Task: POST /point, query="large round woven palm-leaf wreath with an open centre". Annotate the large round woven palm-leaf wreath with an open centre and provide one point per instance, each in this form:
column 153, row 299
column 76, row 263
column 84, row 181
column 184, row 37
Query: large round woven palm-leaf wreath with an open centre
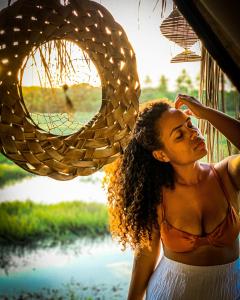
column 30, row 23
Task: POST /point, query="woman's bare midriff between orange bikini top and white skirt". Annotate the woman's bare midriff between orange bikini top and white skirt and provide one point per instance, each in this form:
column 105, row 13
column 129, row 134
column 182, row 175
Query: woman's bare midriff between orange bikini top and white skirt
column 206, row 255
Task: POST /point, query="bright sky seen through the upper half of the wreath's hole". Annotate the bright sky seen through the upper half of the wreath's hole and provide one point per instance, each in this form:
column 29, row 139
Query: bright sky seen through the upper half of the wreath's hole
column 54, row 65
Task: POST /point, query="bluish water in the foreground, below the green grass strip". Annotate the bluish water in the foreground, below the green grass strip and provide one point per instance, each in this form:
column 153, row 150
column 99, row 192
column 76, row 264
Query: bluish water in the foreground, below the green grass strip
column 97, row 269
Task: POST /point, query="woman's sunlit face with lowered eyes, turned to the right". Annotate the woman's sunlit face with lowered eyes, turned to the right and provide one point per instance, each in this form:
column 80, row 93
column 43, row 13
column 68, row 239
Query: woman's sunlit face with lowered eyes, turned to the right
column 180, row 138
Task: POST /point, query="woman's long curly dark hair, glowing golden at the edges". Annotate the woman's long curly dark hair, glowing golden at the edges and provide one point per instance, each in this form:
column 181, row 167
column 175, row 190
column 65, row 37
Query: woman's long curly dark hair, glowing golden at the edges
column 136, row 179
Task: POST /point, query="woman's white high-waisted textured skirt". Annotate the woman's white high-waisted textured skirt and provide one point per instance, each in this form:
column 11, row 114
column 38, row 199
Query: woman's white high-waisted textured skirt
column 173, row 280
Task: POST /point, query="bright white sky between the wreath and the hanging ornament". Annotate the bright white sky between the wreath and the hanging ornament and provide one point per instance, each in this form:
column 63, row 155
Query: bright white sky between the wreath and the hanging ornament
column 153, row 51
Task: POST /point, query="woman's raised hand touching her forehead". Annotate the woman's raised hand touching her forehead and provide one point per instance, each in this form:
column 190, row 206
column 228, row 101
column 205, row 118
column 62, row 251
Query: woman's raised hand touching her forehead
column 195, row 108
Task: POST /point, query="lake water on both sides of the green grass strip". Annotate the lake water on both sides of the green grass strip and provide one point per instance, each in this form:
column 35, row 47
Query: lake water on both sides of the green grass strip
column 97, row 269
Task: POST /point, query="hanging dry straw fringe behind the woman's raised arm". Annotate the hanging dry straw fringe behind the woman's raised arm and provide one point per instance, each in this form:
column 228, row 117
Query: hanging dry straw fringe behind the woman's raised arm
column 212, row 94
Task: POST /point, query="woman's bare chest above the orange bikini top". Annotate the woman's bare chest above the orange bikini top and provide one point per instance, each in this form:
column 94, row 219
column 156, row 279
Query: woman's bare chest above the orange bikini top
column 197, row 209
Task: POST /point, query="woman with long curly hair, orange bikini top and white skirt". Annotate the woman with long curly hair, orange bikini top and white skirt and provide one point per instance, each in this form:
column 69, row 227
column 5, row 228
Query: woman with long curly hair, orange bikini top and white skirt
column 161, row 192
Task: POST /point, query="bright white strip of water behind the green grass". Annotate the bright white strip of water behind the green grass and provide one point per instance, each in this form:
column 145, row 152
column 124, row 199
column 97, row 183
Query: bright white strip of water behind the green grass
column 46, row 190
